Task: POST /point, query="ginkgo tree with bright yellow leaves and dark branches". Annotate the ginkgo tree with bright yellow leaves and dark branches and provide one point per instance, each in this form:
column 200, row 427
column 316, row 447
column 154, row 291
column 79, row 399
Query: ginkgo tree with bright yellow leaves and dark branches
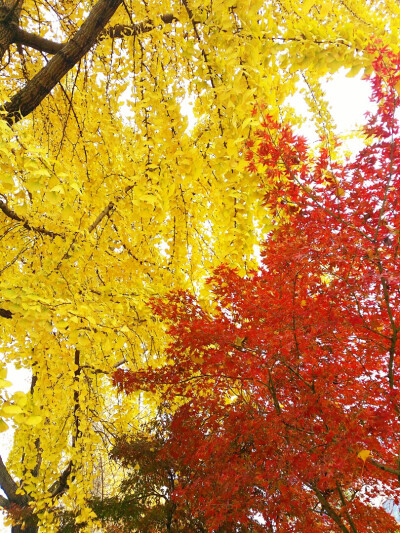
column 108, row 197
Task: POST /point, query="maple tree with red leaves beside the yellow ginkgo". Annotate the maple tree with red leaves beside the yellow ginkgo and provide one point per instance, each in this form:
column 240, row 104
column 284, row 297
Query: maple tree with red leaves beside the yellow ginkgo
column 287, row 390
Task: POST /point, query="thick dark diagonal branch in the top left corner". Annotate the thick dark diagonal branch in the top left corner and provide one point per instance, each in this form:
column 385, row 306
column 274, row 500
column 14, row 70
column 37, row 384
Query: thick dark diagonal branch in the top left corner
column 28, row 98
